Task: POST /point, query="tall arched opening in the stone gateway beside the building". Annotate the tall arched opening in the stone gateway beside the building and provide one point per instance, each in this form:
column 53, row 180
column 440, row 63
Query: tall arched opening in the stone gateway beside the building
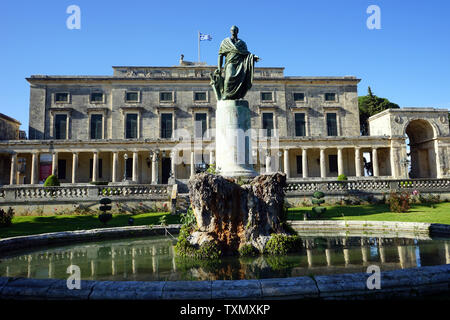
column 422, row 134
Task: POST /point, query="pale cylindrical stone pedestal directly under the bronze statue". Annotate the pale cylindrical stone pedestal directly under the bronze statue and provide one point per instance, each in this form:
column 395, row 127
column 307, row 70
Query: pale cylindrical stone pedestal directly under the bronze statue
column 233, row 140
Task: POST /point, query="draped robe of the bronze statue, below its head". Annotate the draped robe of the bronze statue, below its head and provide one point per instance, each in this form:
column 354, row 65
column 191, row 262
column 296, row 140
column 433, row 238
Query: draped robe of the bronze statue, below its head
column 238, row 71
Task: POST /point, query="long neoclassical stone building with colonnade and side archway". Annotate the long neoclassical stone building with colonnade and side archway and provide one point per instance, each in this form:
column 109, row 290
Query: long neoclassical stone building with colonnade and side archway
column 150, row 125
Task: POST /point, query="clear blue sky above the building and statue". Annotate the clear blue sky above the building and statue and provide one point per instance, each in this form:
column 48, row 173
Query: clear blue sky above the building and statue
column 407, row 61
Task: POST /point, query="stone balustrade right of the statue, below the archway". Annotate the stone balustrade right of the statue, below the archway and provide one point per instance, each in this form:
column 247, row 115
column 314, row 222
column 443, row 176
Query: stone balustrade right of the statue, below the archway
column 367, row 186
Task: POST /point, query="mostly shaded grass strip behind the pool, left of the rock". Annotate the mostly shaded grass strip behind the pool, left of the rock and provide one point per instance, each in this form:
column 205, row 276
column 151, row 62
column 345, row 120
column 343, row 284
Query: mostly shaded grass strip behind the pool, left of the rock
column 27, row 225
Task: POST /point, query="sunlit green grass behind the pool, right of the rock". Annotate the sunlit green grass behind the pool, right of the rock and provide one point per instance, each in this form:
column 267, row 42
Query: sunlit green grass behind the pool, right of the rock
column 380, row 212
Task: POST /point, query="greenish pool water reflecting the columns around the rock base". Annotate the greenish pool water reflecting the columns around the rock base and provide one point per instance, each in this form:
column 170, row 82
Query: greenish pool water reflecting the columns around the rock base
column 150, row 259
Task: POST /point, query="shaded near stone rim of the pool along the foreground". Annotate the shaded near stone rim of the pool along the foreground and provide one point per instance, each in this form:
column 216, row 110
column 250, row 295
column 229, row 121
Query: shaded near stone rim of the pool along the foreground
column 405, row 283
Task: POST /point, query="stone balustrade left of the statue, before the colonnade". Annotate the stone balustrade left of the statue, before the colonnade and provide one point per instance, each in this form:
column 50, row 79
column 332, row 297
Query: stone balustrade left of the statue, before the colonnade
column 26, row 193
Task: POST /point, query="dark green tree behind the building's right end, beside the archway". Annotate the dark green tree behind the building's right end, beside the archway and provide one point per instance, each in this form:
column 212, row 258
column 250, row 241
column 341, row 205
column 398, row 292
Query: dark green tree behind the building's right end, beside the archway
column 370, row 105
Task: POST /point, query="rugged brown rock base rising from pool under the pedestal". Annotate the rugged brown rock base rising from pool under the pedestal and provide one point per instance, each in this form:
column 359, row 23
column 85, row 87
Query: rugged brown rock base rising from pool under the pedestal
column 233, row 216
